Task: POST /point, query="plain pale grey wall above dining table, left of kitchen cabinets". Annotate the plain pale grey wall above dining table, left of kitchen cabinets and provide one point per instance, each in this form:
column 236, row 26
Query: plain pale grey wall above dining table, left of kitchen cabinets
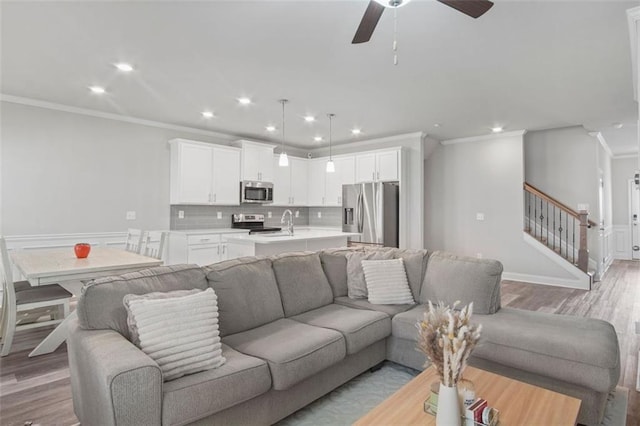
column 70, row 173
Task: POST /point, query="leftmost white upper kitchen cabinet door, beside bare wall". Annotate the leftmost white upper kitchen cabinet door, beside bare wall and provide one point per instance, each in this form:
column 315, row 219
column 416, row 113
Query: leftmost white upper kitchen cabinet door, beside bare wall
column 193, row 174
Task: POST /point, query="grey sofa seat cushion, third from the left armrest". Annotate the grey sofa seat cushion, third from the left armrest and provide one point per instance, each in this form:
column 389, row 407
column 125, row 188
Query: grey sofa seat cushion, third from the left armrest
column 360, row 328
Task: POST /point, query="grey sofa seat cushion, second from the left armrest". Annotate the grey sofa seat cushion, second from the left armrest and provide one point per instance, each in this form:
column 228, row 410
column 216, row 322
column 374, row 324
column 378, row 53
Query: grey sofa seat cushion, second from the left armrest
column 293, row 350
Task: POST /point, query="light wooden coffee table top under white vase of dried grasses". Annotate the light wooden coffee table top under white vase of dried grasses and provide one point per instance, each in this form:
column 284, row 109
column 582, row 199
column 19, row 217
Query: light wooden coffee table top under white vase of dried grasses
column 519, row 403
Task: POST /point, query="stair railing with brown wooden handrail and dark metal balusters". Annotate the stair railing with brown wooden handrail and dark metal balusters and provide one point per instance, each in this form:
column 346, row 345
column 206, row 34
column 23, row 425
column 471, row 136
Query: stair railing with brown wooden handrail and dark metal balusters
column 558, row 227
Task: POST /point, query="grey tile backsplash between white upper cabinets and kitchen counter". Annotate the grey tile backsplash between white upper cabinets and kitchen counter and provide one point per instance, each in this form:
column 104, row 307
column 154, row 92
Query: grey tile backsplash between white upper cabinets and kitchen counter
column 206, row 217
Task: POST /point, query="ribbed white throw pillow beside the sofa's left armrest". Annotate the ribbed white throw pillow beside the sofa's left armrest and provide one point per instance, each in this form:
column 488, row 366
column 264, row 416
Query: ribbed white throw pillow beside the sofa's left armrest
column 178, row 330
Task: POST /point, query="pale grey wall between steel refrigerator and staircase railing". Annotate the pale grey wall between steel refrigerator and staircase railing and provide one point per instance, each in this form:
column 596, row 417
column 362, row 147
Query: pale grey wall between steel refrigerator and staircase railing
column 482, row 175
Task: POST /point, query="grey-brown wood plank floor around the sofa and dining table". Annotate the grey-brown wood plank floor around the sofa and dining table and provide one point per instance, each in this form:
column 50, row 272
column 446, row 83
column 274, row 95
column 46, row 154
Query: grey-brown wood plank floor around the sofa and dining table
column 38, row 389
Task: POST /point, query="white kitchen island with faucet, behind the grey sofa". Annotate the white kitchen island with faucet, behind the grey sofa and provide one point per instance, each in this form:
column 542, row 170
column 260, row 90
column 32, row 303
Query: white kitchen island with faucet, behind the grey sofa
column 281, row 242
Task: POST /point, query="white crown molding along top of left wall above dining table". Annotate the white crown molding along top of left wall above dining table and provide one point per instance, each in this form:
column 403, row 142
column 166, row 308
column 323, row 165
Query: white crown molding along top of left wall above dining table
column 110, row 116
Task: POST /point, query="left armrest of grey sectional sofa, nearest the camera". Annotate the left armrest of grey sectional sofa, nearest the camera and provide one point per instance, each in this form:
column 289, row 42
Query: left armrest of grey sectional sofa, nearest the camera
column 113, row 382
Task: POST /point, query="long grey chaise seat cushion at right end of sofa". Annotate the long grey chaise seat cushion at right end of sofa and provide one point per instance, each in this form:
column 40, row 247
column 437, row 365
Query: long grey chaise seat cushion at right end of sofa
column 577, row 350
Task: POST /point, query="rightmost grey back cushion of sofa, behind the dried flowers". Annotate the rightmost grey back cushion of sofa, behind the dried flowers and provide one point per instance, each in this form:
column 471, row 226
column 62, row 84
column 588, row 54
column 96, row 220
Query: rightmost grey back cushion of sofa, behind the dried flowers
column 451, row 278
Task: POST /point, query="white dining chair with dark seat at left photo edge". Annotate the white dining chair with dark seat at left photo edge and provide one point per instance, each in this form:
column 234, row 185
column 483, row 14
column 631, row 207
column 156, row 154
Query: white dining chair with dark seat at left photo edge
column 23, row 304
